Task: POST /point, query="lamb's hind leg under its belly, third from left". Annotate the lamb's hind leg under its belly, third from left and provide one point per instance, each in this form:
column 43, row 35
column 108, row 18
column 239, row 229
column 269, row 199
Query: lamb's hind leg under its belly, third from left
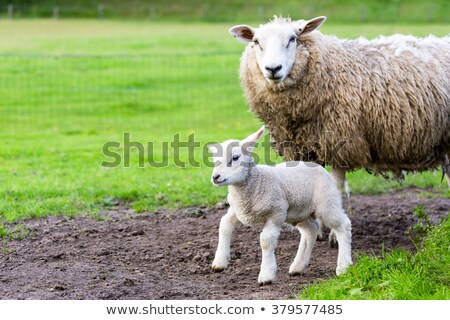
column 308, row 230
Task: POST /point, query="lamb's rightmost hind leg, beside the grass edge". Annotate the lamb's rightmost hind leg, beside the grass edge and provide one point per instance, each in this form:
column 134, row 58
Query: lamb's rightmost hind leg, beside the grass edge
column 344, row 237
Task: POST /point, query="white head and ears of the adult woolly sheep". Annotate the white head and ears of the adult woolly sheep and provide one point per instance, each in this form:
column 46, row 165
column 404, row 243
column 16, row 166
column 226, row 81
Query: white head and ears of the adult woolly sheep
column 275, row 44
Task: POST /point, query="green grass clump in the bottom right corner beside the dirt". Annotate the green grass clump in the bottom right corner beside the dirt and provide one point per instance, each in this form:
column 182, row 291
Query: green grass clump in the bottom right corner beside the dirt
column 398, row 275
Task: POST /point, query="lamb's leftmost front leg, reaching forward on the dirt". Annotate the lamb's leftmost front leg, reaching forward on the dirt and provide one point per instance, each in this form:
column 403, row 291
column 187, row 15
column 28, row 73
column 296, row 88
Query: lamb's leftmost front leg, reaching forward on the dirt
column 227, row 225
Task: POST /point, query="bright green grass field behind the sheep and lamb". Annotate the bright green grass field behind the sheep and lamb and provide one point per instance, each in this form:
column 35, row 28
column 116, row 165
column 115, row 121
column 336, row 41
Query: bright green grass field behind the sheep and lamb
column 67, row 87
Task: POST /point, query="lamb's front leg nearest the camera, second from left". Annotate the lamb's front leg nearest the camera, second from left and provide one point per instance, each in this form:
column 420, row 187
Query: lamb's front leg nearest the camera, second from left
column 268, row 240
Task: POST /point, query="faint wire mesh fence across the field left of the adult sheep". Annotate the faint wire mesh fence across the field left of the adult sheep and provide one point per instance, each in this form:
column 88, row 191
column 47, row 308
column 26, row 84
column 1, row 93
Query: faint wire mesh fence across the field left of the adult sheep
column 105, row 88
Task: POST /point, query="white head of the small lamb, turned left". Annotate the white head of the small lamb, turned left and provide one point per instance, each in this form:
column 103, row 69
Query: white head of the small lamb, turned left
column 233, row 159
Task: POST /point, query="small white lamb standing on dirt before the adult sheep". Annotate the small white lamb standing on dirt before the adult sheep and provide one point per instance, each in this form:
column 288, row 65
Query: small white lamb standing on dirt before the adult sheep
column 293, row 192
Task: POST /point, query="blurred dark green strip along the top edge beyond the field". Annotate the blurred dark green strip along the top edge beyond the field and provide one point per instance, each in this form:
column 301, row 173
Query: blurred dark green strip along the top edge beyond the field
column 362, row 12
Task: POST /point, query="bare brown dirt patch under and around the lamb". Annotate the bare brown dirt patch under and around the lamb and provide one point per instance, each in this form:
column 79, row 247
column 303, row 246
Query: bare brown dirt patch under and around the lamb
column 165, row 255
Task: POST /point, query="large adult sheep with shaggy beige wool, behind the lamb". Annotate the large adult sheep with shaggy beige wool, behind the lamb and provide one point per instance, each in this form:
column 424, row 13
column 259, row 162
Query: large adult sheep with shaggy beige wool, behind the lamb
column 382, row 104
